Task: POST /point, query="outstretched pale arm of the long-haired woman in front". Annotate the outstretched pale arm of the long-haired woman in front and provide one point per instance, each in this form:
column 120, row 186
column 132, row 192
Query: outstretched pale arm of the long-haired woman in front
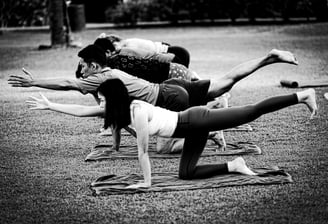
column 72, row 109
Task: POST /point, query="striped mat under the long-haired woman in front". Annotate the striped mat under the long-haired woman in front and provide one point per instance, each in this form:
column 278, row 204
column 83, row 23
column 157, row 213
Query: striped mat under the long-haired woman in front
column 165, row 182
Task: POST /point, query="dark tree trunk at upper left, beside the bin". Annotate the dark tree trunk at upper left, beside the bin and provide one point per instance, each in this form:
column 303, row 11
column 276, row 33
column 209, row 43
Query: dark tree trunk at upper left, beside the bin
column 56, row 15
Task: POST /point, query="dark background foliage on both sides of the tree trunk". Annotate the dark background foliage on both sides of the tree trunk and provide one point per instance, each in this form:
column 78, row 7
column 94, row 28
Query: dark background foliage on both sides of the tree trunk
column 34, row 12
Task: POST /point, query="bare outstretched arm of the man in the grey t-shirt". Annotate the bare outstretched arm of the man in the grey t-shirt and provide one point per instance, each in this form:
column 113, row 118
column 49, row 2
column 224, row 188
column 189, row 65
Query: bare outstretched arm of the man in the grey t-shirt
column 55, row 84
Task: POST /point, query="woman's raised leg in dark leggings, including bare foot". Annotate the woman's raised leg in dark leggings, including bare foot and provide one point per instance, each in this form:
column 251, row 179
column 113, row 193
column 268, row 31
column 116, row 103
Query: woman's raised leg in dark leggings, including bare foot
column 201, row 118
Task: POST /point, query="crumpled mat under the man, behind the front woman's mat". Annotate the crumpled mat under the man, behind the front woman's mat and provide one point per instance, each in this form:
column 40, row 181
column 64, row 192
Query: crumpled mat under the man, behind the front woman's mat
column 131, row 152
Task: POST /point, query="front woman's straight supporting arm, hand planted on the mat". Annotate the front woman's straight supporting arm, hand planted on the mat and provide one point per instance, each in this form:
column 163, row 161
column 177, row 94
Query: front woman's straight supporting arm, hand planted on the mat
column 141, row 118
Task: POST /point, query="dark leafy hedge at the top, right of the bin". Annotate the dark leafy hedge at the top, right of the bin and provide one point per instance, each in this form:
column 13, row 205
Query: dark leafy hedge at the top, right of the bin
column 193, row 10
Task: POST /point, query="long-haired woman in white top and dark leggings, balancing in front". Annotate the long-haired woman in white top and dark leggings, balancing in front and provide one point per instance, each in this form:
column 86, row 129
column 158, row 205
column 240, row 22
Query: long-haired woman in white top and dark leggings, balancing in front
column 193, row 124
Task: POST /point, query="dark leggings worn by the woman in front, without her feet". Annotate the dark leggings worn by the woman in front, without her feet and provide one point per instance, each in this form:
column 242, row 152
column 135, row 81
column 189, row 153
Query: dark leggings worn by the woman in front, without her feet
column 195, row 123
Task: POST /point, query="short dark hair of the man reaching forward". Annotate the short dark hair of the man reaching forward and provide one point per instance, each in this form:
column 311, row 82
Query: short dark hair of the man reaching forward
column 93, row 53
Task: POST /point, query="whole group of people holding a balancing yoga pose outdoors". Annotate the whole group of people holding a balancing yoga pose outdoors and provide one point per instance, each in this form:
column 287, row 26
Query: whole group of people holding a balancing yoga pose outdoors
column 139, row 89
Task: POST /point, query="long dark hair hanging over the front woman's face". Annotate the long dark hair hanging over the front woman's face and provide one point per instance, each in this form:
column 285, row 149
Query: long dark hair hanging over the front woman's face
column 117, row 109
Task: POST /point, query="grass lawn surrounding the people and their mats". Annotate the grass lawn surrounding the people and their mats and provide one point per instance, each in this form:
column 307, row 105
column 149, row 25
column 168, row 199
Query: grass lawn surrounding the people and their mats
column 43, row 176
